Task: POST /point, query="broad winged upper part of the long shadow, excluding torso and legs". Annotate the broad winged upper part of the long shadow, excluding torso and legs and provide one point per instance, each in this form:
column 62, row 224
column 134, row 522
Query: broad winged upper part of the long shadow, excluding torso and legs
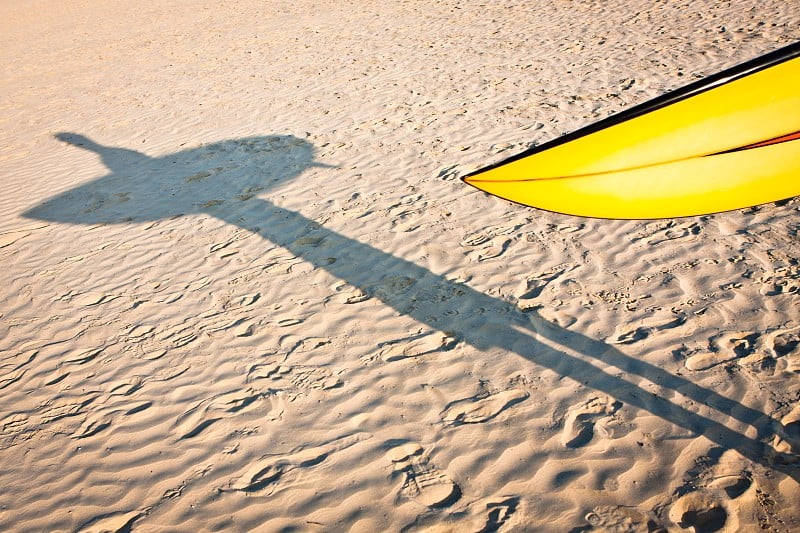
column 211, row 178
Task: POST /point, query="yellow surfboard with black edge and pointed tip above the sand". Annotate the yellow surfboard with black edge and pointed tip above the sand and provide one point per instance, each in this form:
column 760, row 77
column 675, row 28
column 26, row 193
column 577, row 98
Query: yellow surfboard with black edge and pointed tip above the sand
column 729, row 141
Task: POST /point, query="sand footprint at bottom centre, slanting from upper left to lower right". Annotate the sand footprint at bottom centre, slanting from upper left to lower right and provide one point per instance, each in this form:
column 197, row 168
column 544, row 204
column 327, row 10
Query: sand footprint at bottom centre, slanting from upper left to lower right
column 421, row 481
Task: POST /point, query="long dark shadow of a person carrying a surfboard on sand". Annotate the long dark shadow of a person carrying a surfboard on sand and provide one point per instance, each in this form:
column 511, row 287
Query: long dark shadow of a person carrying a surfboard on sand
column 222, row 180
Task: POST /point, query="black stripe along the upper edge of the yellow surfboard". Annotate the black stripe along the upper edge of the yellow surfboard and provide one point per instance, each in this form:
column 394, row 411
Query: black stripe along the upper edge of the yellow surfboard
column 715, row 80
